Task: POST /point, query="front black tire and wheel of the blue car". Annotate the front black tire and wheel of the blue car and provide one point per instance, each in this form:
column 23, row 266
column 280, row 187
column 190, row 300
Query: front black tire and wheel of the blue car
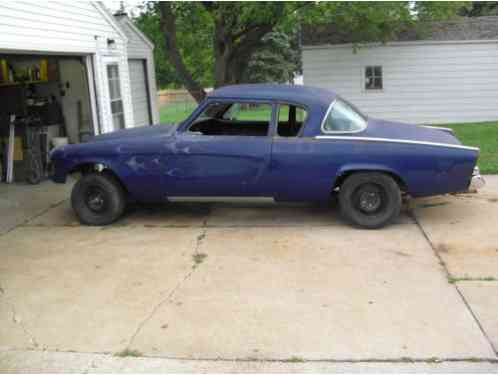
column 98, row 199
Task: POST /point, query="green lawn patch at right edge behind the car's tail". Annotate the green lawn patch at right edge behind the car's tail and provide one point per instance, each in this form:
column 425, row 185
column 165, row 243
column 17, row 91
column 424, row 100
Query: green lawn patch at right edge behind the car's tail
column 483, row 135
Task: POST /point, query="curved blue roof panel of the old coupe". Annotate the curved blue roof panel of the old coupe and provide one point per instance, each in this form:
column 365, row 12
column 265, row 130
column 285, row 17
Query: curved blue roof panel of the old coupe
column 306, row 95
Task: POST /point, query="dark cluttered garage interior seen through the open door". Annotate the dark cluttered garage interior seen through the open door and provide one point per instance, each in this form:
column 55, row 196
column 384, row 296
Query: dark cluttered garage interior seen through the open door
column 45, row 102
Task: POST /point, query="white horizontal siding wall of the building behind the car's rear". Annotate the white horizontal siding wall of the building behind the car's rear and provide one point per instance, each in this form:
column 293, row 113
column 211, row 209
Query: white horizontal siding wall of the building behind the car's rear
column 423, row 82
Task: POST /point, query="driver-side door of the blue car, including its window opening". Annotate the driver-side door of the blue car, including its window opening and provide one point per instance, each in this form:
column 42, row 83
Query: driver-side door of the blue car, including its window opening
column 224, row 161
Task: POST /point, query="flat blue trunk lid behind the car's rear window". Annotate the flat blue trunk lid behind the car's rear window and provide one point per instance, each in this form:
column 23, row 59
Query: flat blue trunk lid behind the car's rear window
column 397, row 130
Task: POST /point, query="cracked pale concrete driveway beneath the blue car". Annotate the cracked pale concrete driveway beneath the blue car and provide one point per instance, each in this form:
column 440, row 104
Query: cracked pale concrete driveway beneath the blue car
column 239, row 287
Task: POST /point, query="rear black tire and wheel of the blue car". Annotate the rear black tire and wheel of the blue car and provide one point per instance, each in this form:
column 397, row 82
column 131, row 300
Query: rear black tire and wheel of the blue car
column 369, row 199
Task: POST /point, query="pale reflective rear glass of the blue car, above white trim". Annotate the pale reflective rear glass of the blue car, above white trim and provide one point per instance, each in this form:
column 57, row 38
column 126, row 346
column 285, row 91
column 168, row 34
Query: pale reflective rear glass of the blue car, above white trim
column 343, row 118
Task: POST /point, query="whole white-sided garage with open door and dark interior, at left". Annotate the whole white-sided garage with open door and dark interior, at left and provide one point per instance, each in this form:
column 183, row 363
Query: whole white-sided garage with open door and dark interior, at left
column 67, row 72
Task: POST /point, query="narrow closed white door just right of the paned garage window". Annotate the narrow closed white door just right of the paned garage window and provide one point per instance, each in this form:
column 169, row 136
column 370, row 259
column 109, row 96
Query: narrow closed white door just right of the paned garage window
column 139, row 92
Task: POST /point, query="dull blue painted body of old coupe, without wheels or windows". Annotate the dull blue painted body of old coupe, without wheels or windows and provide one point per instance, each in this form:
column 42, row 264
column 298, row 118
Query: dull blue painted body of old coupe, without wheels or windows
column 155, row 162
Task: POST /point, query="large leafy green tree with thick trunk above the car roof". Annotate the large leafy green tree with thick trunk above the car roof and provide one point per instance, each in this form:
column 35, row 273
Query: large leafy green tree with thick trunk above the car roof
column 237, row 34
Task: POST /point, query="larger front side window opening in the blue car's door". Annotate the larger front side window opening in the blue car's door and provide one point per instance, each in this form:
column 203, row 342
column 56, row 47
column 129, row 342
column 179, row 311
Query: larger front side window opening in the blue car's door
column 233, row 119
